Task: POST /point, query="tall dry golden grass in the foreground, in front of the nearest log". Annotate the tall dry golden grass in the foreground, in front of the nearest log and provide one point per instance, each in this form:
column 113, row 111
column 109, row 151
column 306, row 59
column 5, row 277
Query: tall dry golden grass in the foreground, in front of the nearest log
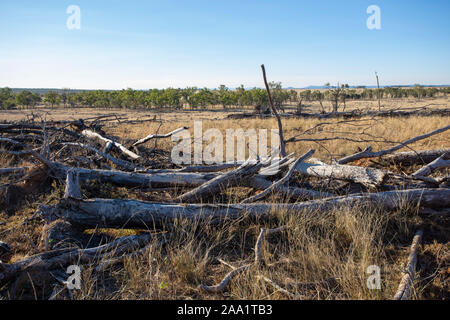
column 316, row 247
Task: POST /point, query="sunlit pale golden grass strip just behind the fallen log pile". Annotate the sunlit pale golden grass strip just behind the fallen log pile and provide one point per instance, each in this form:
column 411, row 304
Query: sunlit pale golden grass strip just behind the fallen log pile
column 380, row 133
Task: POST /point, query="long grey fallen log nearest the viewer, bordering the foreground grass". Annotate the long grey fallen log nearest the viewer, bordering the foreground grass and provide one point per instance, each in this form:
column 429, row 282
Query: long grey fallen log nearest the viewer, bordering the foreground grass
column 117, row 213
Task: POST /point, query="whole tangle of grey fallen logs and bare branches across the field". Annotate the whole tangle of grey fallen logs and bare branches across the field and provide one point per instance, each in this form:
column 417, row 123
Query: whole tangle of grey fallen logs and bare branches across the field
column 307, row 186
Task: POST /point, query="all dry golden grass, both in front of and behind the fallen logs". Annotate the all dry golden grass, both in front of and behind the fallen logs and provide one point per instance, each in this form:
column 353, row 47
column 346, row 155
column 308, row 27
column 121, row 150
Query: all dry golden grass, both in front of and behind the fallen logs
column 315, row 247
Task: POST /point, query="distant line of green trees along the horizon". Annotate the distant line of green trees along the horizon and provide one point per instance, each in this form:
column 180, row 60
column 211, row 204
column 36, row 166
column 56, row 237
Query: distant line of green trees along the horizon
column 194, row 98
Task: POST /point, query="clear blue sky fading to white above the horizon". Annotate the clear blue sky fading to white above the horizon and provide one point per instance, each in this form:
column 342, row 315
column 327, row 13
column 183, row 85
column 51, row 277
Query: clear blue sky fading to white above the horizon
column 174, row 43
